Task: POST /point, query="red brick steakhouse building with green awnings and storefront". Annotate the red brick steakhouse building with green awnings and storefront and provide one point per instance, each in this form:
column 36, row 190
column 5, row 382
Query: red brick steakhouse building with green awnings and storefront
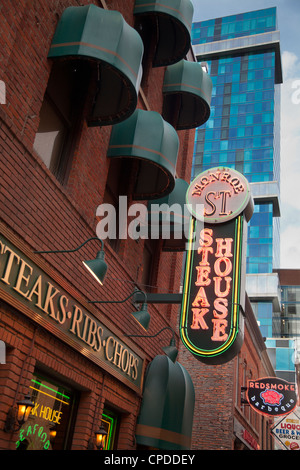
column 91, row 110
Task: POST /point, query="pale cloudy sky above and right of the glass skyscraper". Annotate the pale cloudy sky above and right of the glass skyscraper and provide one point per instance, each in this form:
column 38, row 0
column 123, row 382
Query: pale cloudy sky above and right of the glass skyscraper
column 288, row 19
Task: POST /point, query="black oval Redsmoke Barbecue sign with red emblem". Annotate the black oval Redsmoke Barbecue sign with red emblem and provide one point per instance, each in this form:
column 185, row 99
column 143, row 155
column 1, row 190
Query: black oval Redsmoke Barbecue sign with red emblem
column 271, row 396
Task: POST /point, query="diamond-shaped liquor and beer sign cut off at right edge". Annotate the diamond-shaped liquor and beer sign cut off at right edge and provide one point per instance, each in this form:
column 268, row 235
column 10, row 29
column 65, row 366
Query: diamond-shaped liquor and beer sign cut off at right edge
column 287, row 431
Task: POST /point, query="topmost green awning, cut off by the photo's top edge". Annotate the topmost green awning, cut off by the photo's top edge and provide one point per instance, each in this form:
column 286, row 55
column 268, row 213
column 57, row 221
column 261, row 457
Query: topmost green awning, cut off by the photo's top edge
column 170, row 23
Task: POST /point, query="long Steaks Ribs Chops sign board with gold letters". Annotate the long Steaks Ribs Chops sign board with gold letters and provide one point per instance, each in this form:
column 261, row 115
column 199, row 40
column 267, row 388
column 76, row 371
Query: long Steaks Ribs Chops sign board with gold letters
column 29, row 288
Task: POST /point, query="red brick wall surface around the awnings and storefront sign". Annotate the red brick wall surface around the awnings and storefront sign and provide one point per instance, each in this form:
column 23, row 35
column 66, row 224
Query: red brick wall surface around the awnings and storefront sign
column 46, row 215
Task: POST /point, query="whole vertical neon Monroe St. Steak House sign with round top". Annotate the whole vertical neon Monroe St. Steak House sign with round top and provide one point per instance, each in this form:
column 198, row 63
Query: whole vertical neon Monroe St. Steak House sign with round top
column 211, row 322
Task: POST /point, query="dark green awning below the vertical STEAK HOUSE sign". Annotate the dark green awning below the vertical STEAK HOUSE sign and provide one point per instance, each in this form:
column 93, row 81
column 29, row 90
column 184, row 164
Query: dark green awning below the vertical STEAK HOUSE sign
column 166, row 416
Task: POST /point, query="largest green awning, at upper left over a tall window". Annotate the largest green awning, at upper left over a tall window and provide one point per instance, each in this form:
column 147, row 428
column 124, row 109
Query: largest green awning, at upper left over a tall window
column 115, row 51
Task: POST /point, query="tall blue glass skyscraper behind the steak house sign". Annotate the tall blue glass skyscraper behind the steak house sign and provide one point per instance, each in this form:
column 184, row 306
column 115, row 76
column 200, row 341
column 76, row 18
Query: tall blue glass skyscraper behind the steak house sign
column 242, row 56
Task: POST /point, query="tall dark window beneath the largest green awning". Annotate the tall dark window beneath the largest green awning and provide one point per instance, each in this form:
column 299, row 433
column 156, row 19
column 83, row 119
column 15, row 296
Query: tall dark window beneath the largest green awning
column 61, row 116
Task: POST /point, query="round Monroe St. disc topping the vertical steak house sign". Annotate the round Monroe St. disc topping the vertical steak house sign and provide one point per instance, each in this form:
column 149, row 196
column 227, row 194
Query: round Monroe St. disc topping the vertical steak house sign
column 224, row 192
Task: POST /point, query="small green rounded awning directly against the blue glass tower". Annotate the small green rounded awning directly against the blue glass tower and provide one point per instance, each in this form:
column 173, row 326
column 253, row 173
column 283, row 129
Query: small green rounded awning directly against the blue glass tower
column 187, row 93
